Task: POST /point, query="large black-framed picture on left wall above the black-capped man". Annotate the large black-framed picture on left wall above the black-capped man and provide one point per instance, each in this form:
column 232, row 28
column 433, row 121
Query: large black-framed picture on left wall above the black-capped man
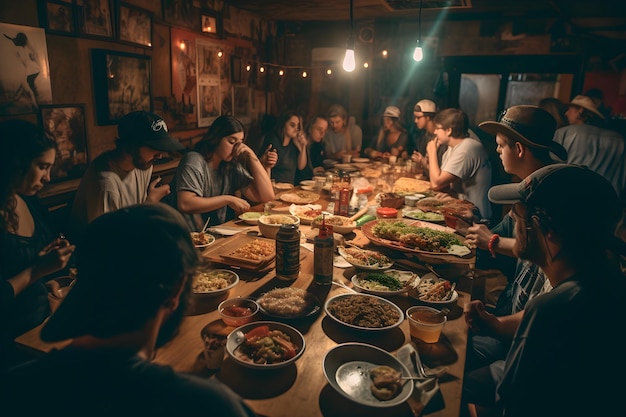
column 122, row 84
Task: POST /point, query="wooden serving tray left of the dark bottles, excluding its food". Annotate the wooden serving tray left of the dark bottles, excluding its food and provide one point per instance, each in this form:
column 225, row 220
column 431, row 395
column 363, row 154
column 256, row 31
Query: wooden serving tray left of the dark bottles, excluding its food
column 221, row 252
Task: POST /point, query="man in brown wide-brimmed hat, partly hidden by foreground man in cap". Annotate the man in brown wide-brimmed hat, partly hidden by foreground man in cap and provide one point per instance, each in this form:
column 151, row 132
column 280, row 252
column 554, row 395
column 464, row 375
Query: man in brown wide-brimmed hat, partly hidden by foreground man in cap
column 524, row 143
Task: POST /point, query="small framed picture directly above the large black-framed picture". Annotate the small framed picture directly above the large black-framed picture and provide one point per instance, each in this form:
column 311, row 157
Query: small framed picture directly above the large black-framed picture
column 135, row 25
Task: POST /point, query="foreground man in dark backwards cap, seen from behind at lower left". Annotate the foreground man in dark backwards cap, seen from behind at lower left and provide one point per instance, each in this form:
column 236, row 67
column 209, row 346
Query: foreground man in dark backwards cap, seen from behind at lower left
column 147, row 253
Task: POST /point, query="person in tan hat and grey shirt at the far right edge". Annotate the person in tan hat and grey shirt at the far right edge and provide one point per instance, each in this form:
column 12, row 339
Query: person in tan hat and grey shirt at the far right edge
column 589, row 143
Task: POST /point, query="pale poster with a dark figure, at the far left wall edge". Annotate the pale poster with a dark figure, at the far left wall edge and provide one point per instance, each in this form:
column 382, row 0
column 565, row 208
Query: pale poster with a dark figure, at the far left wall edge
column 24, row 69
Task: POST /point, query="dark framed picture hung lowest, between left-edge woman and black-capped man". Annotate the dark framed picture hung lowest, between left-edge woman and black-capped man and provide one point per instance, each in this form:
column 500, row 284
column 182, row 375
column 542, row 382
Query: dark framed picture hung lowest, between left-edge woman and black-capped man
column 66, row 123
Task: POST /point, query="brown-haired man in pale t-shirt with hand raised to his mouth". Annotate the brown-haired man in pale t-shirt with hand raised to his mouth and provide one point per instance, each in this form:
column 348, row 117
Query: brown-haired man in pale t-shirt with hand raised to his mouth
column 465, row 169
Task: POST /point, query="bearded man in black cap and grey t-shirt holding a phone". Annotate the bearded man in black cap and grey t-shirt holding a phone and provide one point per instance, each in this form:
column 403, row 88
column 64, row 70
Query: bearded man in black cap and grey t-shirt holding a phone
column 122, row 177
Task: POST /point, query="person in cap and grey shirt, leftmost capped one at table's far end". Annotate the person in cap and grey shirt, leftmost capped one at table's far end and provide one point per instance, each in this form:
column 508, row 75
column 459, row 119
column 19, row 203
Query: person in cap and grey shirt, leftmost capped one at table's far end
column 343, row 138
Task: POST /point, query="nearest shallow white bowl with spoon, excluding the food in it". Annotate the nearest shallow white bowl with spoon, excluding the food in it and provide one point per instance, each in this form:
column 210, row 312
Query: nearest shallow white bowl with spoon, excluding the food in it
column 346, row 368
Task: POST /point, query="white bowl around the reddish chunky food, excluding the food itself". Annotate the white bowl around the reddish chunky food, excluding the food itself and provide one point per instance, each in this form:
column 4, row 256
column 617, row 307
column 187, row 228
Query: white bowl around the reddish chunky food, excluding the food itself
column 236, row 337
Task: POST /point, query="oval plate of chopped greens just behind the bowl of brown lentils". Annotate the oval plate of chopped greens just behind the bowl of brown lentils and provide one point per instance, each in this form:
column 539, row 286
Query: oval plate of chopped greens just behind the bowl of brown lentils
column 384, row 283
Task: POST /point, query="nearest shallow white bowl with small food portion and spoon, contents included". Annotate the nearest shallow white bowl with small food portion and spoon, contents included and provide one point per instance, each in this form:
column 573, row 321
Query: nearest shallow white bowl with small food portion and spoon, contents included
column 367, row 375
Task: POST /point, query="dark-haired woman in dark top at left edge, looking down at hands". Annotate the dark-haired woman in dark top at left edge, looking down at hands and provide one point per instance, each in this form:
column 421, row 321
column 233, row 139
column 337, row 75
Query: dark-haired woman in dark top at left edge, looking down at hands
column 30, row 252
